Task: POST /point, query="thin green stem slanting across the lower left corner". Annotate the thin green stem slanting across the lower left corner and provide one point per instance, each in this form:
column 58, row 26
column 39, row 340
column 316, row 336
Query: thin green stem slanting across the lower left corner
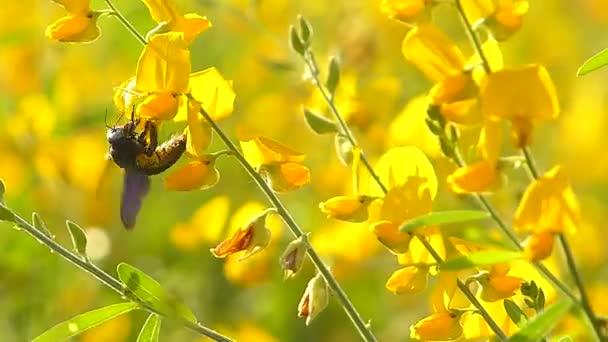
column 109, row 280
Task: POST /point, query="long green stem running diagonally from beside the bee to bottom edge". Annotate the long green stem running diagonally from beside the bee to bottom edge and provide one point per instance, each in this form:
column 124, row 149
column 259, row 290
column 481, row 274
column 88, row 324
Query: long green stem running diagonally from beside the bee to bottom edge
column 347, row 305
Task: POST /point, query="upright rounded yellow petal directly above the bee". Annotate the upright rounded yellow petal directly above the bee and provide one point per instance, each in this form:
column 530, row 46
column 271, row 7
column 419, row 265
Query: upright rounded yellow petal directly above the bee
column 164, row 64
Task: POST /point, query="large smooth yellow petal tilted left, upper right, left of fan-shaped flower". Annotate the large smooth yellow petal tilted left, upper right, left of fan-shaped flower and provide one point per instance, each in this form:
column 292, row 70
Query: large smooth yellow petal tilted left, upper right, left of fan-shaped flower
column 432, row 51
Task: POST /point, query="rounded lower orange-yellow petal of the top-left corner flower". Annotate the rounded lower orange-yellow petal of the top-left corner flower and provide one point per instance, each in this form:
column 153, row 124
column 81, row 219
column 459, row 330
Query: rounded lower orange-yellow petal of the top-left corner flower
column 73, row 29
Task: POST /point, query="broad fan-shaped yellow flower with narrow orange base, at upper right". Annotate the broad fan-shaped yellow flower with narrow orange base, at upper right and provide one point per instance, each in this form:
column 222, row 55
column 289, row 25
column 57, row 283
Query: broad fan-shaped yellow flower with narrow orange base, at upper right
column 523, row 96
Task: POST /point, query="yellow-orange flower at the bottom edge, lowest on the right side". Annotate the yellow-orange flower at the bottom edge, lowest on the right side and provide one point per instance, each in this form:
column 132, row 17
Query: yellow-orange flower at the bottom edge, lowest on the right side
column 440, row 326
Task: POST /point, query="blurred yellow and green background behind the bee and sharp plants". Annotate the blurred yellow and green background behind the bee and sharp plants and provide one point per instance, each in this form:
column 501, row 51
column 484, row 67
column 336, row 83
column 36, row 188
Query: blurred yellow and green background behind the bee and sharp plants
column 54, row 96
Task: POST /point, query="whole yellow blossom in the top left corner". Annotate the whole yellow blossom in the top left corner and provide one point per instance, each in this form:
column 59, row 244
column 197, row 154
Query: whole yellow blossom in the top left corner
column 80, row 25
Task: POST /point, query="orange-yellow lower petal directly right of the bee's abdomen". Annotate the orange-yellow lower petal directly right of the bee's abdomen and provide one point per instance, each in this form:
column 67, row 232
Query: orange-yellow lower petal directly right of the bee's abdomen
column 196, row 175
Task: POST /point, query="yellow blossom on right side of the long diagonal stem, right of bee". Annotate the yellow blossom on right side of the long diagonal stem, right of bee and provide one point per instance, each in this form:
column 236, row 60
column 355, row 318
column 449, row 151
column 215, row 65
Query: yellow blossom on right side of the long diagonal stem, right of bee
column 277, row 164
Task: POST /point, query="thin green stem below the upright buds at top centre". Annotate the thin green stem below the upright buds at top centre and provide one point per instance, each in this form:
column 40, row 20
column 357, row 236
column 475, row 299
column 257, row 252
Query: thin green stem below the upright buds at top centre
column 310, row 60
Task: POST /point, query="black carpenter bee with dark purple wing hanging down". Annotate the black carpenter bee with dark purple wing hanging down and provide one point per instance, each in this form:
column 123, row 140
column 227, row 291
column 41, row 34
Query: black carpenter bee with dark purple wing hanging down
column 140, row 156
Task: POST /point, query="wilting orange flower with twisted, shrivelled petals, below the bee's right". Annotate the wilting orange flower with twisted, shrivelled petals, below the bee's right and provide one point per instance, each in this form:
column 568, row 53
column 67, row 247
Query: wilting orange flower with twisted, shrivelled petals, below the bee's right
column 252, row 238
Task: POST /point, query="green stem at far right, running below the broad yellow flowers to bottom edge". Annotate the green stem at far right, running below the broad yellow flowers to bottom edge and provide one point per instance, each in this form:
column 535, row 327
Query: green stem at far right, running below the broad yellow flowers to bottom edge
column 569, row 257
